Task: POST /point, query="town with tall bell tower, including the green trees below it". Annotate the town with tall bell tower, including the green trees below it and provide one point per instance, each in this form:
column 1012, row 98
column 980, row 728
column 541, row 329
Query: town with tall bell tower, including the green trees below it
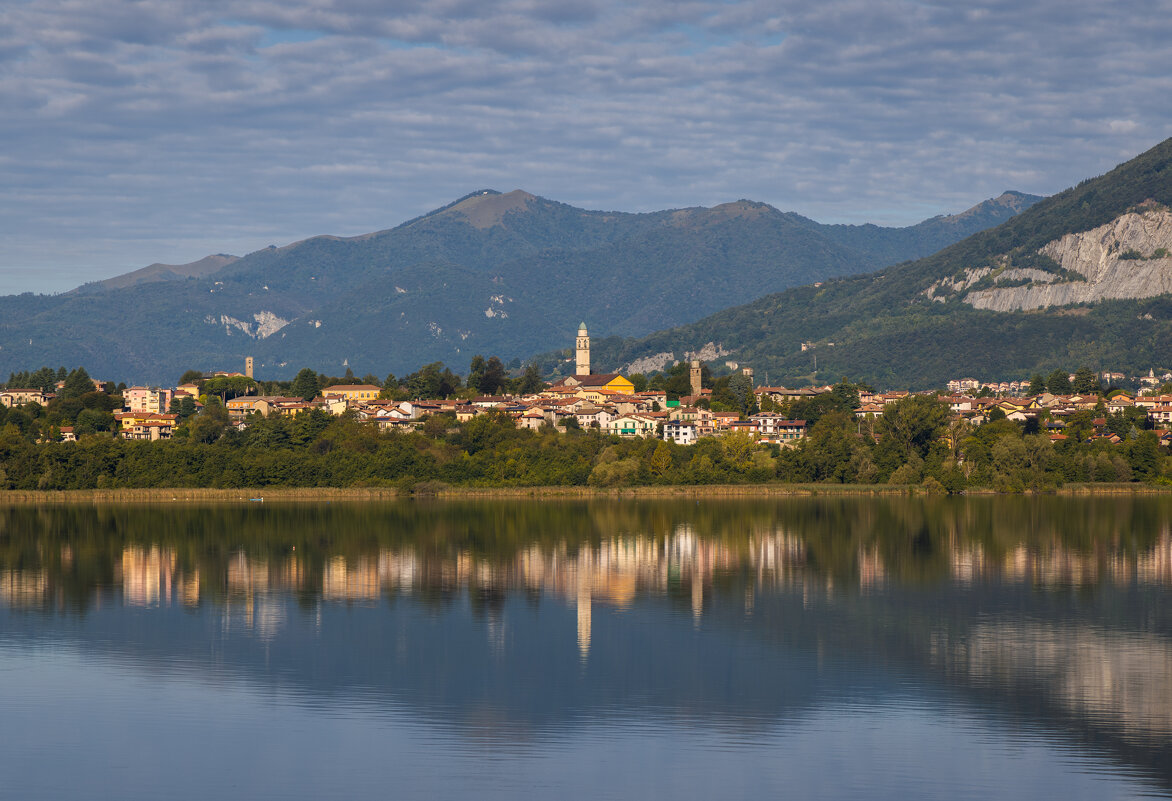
column 1042, row 433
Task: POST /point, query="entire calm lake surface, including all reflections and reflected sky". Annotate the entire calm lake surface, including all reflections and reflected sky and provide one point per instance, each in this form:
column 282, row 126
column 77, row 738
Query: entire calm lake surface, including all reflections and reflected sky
column 808, row 649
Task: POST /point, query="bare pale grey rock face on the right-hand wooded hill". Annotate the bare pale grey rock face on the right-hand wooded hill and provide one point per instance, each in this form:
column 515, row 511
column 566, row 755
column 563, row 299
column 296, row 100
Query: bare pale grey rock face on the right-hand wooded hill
column 1132, row 257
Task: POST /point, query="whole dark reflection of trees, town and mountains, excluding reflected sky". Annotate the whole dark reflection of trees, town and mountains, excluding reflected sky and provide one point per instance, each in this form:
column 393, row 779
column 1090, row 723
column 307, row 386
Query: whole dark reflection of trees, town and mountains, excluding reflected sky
column 1044, row 614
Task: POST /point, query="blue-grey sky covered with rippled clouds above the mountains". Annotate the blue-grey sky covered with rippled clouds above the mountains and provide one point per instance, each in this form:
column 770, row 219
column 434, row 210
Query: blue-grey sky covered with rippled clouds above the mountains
column 135, row 132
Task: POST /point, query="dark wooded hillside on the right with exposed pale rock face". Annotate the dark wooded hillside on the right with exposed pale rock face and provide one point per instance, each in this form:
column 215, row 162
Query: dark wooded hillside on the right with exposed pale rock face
column 1088, row 268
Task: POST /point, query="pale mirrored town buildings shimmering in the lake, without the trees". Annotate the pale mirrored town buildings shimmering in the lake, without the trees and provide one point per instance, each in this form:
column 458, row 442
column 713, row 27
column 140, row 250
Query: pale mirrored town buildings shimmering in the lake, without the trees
column 612, row 572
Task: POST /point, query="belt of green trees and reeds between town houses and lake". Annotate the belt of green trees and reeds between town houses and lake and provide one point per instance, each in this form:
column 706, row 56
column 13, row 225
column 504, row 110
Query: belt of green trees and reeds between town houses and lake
column 916, row 446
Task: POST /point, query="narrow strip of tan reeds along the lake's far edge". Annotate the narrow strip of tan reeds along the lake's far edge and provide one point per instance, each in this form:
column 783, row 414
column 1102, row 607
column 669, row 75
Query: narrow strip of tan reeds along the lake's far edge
column 378, row 494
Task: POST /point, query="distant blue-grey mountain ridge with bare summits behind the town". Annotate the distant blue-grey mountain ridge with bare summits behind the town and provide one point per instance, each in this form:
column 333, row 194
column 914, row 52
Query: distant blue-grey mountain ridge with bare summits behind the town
column 494, row 274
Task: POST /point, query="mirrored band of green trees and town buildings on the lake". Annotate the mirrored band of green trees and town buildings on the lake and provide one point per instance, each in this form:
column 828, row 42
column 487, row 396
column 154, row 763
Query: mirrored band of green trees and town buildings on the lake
column 610, row 552
